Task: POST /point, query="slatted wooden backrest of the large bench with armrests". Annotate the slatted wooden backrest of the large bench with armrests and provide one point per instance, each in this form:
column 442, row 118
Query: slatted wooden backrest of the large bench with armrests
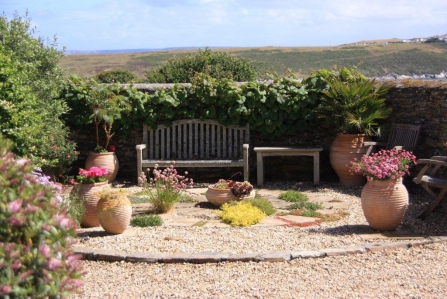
column 193, row 139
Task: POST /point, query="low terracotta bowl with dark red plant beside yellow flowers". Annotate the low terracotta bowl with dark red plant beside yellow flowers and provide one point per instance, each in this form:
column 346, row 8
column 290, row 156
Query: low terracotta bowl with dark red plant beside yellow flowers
column 228, row 190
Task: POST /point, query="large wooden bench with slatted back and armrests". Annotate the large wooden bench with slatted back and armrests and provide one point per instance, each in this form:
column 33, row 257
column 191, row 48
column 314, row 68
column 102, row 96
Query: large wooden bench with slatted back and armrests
column 194, row 143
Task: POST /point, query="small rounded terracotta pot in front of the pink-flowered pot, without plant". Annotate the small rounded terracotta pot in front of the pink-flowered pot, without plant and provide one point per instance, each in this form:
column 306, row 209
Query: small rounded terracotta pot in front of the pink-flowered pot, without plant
column 114, row 212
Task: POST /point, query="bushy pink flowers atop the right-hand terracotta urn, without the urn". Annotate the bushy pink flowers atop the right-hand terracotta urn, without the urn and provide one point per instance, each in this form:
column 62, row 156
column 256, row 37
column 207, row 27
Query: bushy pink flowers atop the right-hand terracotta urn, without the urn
column 385, row 165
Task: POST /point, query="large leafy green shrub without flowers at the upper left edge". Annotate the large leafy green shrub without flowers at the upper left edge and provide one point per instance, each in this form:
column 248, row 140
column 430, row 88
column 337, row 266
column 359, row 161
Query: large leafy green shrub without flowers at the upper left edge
column 30, row 114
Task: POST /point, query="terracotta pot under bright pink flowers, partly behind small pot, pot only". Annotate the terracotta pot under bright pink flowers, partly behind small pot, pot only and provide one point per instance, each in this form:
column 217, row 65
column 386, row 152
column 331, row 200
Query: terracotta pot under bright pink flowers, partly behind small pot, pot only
column 88, row 193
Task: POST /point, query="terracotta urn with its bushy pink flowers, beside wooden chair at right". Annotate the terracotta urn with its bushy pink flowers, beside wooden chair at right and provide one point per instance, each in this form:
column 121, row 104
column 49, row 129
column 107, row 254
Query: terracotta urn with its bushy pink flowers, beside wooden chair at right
column 384, row 197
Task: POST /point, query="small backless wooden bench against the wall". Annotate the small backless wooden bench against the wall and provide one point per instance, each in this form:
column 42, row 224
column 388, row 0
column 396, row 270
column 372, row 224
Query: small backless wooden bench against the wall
column 262, row 152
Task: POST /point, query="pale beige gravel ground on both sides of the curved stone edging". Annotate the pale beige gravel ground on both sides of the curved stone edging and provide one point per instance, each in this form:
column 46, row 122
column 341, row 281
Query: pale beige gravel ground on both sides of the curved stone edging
column 418, row 272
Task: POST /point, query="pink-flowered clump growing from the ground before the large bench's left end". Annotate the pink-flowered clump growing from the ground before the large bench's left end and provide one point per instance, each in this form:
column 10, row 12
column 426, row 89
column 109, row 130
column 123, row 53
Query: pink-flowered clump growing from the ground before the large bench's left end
column 164, row 188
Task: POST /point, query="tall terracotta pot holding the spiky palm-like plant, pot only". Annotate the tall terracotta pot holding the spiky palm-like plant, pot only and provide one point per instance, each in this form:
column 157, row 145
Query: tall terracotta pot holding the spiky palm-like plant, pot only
column 344, row 149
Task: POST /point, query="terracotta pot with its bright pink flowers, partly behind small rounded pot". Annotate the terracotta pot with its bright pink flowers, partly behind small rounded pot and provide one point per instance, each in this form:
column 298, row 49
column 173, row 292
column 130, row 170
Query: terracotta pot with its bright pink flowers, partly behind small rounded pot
column 87, row 186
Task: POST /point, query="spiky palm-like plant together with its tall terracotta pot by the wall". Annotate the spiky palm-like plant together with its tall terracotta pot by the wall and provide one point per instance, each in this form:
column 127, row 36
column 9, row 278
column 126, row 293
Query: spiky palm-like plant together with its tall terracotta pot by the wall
column 352, row 107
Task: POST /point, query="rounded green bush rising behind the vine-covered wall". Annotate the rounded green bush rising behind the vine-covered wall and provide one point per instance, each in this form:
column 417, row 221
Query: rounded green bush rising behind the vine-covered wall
column 215, row 64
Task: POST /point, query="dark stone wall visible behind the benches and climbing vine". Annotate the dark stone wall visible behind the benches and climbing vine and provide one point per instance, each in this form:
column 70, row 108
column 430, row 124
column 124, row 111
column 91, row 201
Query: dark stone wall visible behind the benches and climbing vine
column 413, row 102
